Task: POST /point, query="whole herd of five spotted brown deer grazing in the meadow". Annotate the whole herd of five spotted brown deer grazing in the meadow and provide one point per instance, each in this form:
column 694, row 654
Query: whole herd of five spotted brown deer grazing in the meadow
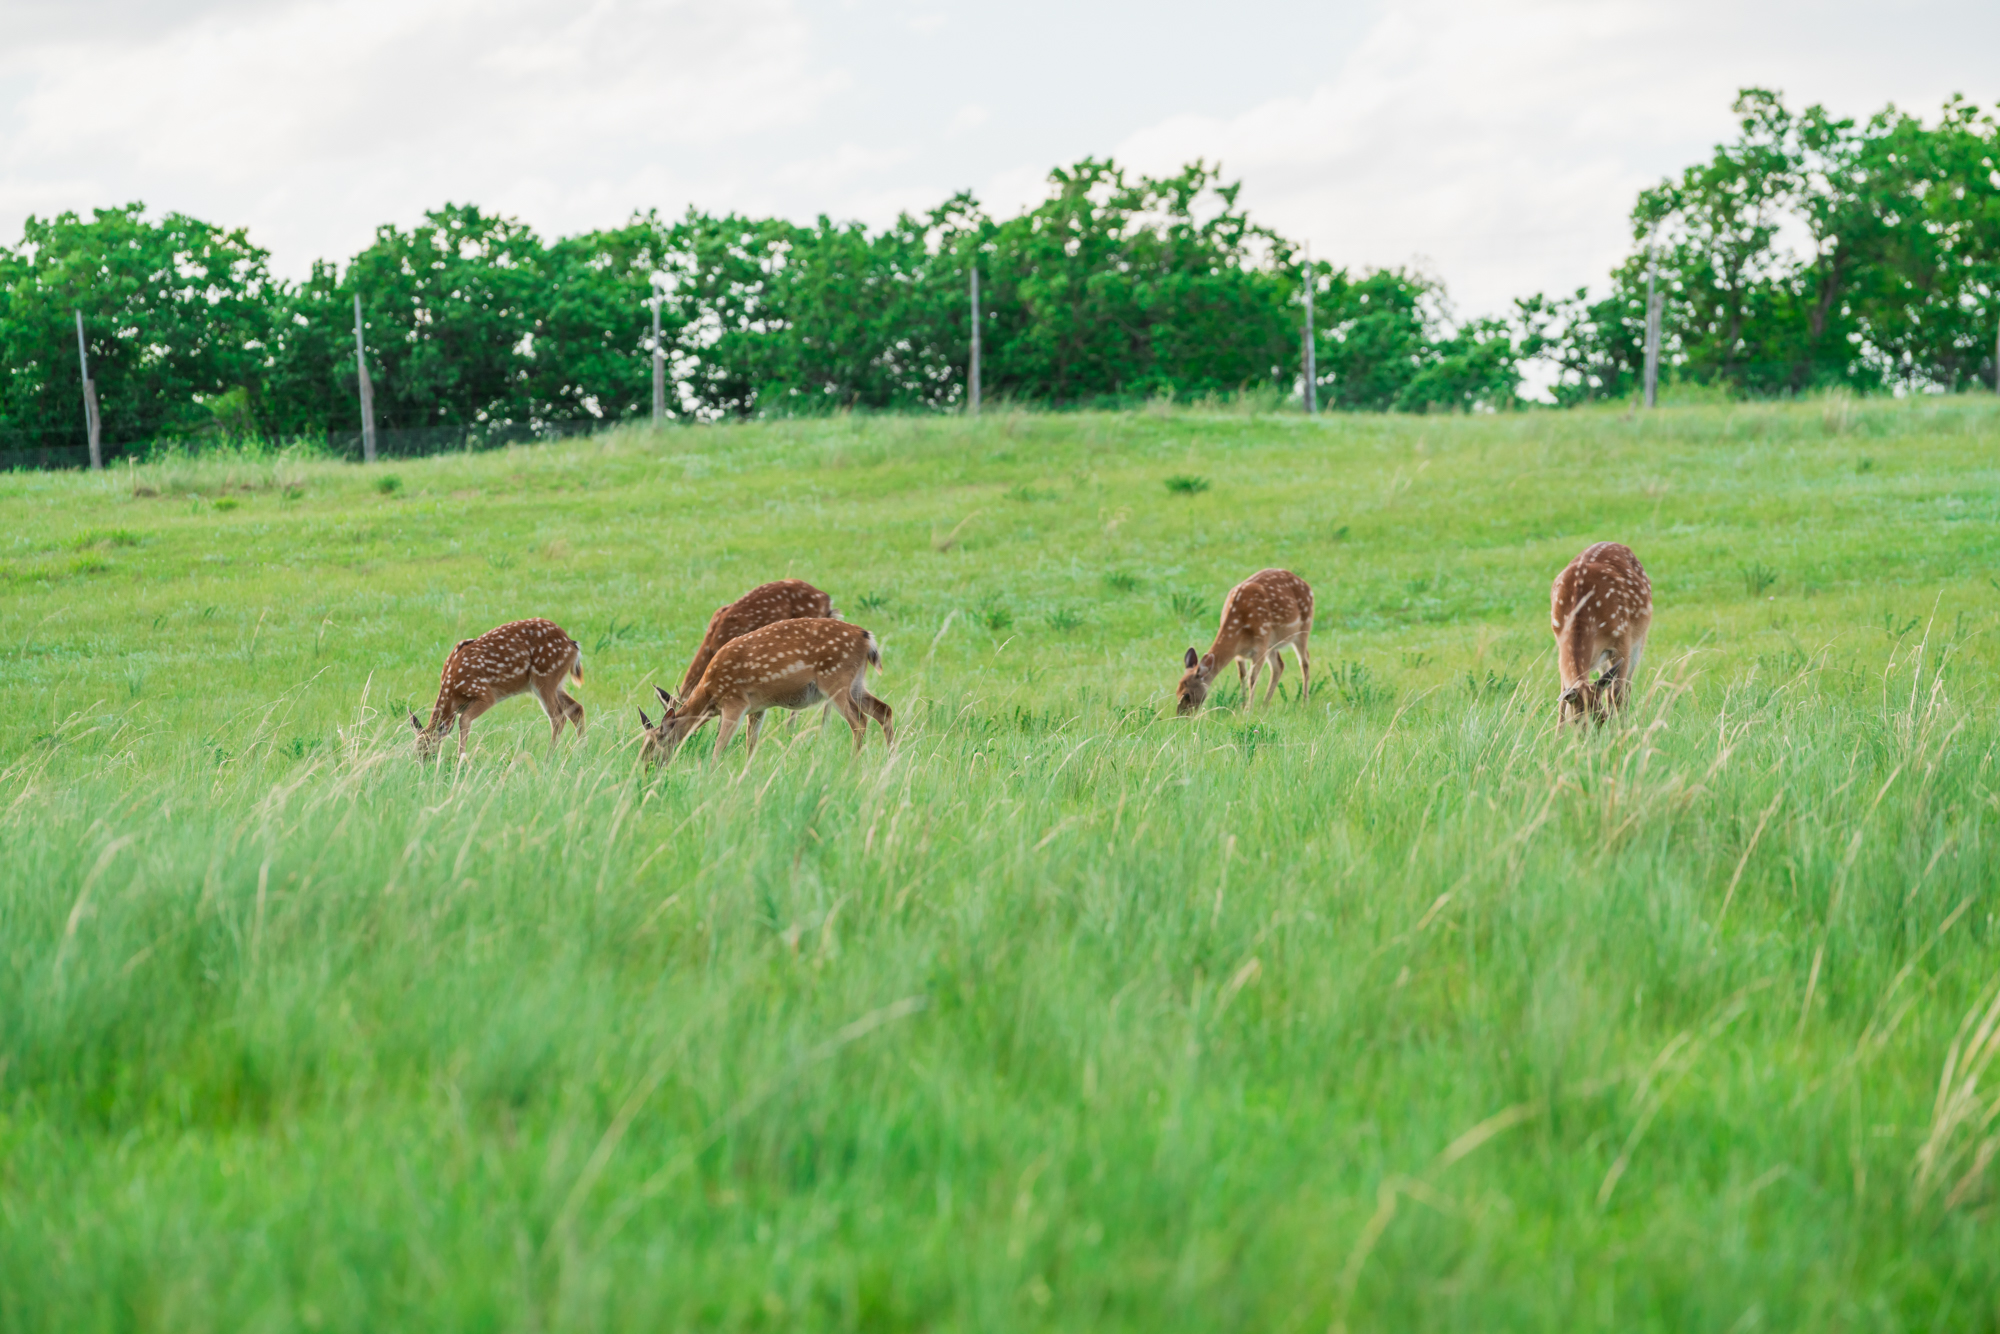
column 785, row 647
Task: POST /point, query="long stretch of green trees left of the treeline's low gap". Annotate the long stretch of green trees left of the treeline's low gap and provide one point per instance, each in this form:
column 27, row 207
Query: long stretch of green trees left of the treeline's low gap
column 1115, row 289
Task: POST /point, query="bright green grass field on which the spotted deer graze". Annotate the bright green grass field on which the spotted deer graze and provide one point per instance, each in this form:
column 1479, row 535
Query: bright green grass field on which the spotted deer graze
column 1393, row 1009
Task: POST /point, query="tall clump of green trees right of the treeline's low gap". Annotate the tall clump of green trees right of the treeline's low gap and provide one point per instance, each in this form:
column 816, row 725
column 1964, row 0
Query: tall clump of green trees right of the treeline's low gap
column 1809, row 253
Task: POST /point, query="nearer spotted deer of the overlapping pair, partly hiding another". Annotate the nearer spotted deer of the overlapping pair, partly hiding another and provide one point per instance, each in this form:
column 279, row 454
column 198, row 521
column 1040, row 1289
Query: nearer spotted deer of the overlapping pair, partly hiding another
column 789, row 665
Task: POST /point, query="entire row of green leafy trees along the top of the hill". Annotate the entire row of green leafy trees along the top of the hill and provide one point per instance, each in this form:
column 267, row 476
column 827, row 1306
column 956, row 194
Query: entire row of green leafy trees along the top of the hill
column 1809, row 253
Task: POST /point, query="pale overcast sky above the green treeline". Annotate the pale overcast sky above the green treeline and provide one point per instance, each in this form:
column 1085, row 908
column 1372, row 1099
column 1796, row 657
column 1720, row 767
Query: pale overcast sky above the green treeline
column 1497, row 143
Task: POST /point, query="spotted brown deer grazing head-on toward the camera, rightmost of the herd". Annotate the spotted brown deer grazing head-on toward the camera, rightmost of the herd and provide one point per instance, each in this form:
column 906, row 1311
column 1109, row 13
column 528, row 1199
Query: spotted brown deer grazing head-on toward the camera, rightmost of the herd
column 1601, row 609
